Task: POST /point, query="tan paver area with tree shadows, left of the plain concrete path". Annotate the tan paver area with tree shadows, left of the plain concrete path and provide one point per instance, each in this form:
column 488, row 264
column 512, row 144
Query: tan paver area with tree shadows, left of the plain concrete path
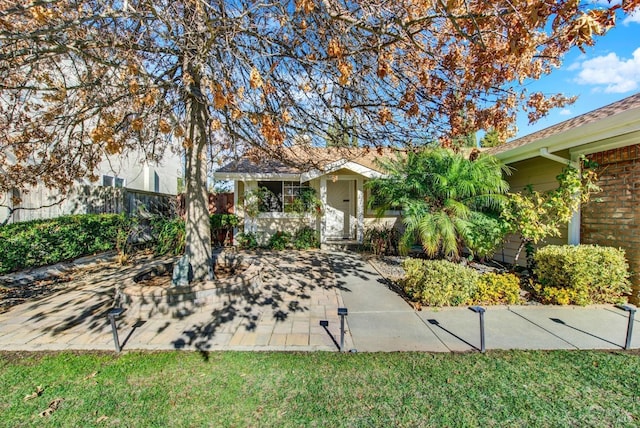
column 296, row 290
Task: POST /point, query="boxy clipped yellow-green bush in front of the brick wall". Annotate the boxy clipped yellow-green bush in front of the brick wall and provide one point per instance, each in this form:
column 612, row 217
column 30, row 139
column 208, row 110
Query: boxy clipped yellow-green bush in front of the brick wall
column 582, row 275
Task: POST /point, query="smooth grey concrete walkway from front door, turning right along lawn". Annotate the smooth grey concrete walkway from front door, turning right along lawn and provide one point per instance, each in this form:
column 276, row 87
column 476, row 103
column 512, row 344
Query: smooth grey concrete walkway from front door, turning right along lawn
column 380, row 320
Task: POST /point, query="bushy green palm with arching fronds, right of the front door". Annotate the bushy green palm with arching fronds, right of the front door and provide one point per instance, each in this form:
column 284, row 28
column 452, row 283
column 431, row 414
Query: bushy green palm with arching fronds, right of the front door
column 440, row 193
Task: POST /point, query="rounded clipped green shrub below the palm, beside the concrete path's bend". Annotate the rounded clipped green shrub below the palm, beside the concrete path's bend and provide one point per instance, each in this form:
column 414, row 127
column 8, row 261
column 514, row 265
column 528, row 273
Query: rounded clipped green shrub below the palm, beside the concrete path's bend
column 439, row 282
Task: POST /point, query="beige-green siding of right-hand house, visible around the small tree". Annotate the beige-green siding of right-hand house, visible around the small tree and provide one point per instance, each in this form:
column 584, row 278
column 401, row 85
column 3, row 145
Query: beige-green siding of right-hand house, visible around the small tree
column 540, row 173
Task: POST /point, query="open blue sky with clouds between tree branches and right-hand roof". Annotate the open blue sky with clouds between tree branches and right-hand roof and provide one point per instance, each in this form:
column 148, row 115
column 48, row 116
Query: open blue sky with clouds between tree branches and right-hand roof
column 605, row 73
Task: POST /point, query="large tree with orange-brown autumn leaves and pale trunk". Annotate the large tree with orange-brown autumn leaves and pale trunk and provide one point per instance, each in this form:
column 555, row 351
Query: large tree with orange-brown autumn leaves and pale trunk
column 82, row 79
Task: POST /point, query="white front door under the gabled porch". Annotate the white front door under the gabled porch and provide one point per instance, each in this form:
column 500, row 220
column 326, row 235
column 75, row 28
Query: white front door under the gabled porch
column 339, row 210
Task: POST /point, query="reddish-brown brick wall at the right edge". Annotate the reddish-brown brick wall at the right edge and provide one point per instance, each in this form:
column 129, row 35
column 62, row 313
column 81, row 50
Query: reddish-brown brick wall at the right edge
column 614, row 218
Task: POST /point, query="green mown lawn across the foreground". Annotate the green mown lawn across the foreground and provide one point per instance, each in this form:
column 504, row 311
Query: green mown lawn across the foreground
column 556, row 388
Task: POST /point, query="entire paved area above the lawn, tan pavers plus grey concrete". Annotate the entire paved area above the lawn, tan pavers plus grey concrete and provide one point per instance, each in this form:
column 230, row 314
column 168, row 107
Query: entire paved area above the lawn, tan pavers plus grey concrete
column 296, row 291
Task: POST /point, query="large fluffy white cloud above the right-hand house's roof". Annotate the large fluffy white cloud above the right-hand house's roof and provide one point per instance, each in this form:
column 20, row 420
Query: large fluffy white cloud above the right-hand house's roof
column 610, row 73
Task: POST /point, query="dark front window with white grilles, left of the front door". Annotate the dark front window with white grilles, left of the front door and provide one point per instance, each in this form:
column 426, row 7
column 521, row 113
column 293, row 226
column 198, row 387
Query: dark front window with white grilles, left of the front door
column 284, row 196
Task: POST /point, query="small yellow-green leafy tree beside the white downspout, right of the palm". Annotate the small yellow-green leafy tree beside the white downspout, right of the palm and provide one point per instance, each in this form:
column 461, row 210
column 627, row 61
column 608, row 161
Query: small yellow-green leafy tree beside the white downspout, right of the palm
column 536, row 216
